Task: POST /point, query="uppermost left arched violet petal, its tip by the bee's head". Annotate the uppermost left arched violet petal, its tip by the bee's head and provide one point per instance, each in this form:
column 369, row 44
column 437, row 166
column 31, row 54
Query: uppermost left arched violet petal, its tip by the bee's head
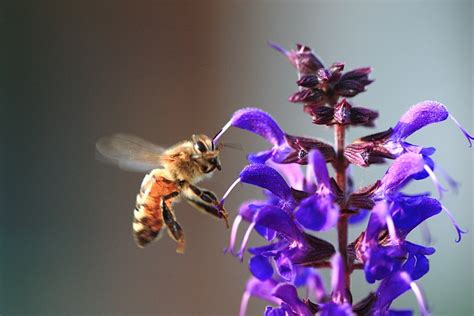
column 260, row 123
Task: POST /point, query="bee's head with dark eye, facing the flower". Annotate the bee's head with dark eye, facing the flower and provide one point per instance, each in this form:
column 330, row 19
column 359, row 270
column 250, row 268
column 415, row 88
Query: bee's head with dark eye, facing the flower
column 206, row 153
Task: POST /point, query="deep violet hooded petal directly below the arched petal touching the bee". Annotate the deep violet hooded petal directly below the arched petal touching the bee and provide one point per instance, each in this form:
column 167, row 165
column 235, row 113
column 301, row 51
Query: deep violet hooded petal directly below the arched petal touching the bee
column 268, row 178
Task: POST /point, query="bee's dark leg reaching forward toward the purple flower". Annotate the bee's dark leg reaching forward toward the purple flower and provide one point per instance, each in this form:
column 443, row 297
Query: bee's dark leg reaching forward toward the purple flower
column 206, row 201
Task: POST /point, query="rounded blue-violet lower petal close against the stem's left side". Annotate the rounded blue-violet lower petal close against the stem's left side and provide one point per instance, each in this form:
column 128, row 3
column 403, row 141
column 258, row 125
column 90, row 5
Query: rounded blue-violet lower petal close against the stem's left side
column 317, row 213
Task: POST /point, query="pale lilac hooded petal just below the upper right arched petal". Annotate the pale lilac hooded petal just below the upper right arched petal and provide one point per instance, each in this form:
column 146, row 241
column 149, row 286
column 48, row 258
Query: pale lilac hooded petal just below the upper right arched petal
column 401, row 171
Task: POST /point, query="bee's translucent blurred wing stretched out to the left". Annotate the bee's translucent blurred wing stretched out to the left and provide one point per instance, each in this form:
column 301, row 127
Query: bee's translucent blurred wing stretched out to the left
column 129, row 152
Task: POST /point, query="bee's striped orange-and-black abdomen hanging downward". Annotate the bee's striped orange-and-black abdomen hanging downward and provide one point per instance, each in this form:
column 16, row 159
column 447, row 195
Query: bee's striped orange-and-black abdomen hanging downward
column 148, row 213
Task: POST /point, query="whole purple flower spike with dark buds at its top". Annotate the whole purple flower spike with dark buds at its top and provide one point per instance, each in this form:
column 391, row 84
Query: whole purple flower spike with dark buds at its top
column 297, row 205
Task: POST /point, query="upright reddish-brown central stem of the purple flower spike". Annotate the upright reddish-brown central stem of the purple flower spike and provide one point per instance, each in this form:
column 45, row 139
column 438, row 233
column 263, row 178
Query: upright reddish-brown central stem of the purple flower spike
column 342, row 227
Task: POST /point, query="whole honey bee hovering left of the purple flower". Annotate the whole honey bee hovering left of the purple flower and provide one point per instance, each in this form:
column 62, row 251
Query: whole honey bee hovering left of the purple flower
column 173, row 174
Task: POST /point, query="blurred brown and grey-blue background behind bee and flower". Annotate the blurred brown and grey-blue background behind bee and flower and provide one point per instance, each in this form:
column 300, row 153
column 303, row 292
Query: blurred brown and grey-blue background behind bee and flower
column 74, row 71
